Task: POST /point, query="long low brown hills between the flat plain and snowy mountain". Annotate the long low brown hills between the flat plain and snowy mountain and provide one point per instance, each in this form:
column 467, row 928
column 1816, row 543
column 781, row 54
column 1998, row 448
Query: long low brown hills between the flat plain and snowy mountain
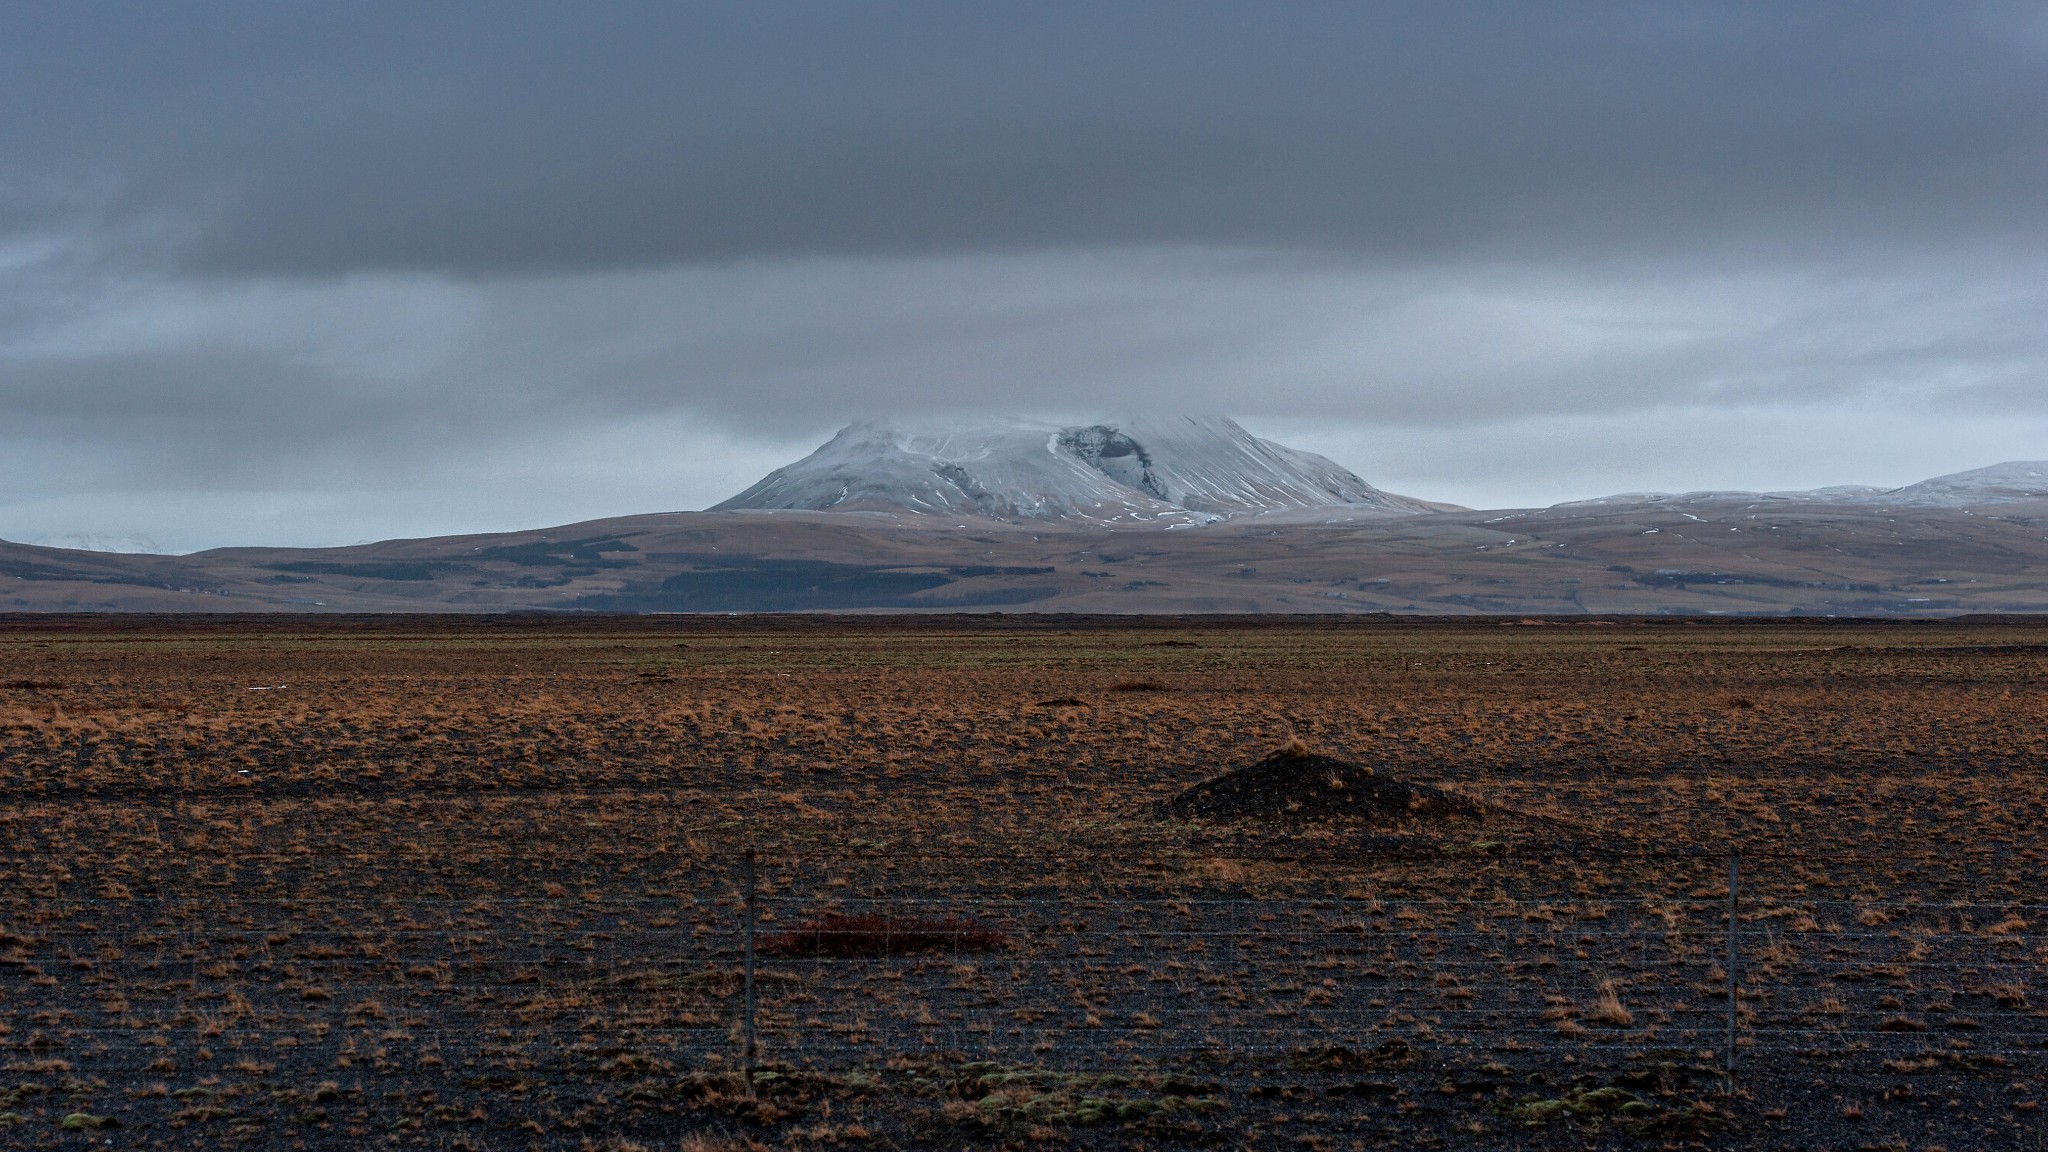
column 1703, row 554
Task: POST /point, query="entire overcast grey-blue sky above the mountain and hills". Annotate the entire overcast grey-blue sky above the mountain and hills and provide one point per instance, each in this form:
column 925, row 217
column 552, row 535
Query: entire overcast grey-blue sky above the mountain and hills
column 321, row 274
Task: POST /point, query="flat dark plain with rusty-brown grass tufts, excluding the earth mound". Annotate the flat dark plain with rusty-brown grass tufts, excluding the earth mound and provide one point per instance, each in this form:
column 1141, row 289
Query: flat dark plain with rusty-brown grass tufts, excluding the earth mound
column 478, row 884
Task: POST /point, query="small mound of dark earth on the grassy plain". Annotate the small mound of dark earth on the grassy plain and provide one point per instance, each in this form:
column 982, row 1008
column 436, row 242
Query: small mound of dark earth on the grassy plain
column 1297, row 784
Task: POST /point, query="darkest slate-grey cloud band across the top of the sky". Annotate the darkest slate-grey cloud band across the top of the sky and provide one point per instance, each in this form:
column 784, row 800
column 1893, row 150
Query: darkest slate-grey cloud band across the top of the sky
column 515, row 138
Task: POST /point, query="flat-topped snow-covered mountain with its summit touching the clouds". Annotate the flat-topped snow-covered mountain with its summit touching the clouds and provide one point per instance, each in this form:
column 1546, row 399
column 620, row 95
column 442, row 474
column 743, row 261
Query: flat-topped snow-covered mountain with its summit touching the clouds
column 1162, row 470
